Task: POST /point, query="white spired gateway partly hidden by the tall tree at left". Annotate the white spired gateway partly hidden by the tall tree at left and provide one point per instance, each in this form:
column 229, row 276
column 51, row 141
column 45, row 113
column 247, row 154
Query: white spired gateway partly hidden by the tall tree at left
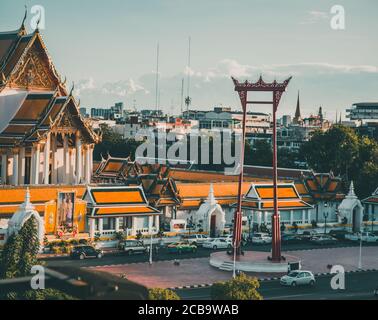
column 23, row 214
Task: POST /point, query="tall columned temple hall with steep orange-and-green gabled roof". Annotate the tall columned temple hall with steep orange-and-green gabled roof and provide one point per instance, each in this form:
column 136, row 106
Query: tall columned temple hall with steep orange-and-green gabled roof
column 43, row 137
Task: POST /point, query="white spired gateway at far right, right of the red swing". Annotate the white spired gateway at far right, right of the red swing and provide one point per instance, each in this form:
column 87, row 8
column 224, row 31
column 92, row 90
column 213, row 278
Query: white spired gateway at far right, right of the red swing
column 351, row 209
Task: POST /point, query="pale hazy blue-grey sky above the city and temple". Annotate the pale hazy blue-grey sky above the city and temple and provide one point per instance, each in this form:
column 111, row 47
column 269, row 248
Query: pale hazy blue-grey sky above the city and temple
column 108, row 49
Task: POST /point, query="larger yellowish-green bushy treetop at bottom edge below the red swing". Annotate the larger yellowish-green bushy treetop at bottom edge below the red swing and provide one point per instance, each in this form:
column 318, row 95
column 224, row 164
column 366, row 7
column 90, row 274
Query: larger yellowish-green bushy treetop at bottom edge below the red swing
column 242, row 287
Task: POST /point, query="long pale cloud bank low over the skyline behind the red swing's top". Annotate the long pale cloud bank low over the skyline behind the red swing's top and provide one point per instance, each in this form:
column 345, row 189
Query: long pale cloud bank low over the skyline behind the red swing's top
column 331, row 85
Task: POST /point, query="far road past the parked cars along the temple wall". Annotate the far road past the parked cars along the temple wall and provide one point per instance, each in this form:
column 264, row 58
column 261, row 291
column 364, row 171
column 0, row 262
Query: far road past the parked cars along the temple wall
column 121, row 258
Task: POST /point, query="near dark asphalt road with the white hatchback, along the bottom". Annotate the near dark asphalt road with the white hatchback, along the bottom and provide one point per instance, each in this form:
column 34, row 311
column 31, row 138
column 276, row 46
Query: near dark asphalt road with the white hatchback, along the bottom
column 358, row 286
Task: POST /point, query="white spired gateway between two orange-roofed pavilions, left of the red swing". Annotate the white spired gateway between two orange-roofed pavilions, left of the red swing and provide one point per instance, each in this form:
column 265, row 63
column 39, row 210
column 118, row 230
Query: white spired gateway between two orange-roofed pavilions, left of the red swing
column 212, row 214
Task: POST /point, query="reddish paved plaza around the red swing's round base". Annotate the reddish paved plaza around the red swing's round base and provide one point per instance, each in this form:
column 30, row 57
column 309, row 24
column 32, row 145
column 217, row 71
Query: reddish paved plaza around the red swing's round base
column 197, row 271
